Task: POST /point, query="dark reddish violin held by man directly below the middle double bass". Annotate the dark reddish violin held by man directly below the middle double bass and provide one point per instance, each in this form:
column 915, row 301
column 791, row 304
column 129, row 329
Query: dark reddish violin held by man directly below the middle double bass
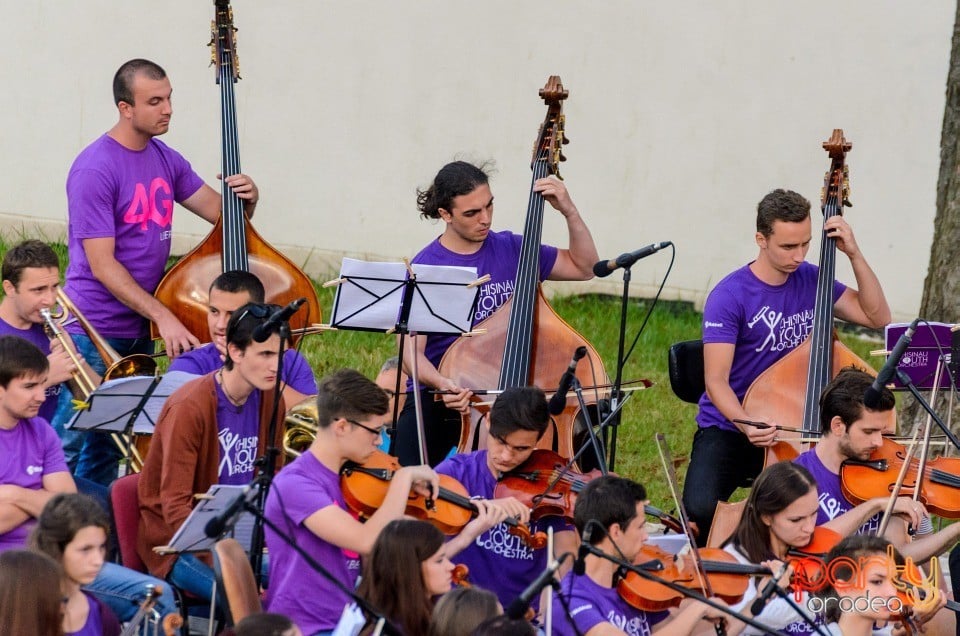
column 545, row 484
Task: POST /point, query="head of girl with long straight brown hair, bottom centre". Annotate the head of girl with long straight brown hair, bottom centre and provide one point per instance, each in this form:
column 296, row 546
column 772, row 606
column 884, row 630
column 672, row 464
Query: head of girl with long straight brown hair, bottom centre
column 406, row 569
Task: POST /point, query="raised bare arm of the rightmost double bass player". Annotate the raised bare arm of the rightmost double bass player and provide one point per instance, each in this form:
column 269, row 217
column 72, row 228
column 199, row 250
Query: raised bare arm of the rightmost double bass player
column 867, row 304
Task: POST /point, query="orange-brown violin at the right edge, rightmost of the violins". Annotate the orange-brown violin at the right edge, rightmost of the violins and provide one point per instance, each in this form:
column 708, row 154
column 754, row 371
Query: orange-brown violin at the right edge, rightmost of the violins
column 939, row 483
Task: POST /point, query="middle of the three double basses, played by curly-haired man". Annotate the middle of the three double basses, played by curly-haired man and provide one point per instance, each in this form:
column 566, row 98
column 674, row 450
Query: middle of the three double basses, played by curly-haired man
column 535, row 342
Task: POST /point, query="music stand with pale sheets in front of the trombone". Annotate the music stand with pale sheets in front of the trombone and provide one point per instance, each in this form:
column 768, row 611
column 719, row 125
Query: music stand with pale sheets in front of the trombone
column 128, row 406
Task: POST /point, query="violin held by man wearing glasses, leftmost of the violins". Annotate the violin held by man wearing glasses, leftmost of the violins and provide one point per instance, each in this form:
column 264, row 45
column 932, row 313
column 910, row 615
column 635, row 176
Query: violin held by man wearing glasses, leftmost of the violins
column 365, row 487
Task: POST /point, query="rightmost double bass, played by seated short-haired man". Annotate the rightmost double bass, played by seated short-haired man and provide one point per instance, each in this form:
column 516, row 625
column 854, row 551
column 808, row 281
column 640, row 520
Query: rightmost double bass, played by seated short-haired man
column 777, row 393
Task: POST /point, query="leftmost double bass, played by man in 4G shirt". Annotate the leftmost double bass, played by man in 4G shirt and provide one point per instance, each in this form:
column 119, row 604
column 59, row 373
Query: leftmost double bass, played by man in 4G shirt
column 233, row 244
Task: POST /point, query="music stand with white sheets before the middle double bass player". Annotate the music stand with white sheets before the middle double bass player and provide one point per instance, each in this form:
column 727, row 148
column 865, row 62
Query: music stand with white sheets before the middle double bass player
column 407, row 300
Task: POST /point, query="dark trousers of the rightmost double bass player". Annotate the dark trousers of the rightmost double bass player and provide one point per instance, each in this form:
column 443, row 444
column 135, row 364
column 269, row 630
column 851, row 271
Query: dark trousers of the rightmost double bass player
column 721, row 461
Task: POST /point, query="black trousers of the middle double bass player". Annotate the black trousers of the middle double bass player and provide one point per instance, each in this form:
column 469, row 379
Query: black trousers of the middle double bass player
column 441, row 428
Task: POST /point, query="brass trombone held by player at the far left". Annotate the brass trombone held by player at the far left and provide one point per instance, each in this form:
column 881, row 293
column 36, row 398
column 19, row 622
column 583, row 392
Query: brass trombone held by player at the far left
column 82, row 385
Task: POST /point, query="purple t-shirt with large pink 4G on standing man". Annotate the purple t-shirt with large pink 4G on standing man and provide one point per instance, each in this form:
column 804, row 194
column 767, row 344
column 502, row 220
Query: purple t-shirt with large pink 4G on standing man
column 128, row 195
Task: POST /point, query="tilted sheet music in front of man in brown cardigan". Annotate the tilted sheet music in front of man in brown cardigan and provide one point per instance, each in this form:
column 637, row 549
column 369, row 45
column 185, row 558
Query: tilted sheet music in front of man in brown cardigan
column 190, row 537
